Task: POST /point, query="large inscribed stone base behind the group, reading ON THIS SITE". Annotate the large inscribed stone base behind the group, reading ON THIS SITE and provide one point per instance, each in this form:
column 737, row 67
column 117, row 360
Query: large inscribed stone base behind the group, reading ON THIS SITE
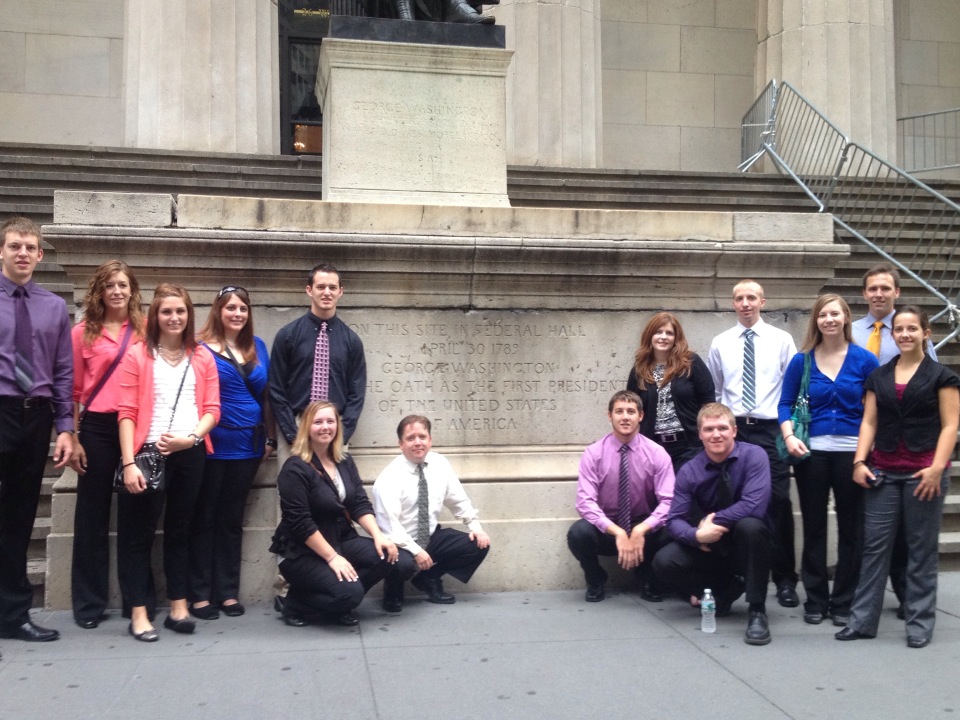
column 510, row 327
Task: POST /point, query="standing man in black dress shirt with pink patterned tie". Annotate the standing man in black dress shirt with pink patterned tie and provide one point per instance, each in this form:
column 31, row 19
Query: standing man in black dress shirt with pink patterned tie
column 294, row 351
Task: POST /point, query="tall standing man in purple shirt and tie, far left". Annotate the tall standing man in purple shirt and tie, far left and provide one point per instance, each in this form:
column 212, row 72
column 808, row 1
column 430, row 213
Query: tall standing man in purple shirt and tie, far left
column 36, row 391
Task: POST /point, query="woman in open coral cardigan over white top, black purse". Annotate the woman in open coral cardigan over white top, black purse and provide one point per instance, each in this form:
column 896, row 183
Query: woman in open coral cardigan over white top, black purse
column 169, row 396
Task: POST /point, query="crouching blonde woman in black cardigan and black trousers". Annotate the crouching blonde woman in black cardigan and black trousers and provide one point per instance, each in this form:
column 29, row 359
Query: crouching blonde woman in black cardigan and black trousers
column 329, row 566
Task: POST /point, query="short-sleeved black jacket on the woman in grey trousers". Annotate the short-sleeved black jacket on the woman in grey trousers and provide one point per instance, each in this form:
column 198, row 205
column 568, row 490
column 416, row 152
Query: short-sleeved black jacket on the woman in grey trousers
column 916, row 418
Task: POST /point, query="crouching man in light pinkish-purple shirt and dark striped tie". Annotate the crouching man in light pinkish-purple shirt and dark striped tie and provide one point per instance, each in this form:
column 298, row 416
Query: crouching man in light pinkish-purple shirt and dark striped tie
column 635, row 532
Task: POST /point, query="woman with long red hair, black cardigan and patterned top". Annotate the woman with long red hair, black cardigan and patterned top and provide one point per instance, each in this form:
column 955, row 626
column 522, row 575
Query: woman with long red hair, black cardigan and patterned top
column 673, row 383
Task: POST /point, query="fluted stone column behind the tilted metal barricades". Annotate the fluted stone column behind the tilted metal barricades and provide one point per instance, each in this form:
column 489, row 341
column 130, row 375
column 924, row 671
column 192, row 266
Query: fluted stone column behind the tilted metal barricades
column 839, row 54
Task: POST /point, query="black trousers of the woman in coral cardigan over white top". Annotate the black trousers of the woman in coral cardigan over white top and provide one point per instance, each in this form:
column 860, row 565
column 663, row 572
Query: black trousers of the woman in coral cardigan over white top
column 137, row 518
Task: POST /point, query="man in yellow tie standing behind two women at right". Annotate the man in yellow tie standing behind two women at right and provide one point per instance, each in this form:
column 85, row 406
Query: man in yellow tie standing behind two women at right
column 881, row 288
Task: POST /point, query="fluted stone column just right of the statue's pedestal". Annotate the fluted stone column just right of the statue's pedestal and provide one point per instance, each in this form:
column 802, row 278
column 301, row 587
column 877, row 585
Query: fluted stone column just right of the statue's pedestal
column 554, row 109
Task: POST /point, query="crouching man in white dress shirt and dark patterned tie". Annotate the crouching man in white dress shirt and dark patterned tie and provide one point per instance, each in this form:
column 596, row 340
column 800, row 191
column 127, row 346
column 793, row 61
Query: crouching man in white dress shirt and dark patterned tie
column 411, row 520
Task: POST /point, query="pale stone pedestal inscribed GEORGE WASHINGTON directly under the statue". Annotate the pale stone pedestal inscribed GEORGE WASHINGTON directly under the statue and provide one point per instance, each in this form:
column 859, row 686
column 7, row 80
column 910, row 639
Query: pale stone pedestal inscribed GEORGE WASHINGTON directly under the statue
column 413, row 123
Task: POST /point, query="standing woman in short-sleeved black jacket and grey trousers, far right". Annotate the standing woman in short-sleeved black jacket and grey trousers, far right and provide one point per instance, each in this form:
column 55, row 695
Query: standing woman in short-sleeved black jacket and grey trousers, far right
column 909, row 429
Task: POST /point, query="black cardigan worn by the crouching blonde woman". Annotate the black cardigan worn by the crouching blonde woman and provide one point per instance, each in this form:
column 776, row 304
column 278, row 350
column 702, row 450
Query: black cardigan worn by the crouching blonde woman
column 308, row 502
